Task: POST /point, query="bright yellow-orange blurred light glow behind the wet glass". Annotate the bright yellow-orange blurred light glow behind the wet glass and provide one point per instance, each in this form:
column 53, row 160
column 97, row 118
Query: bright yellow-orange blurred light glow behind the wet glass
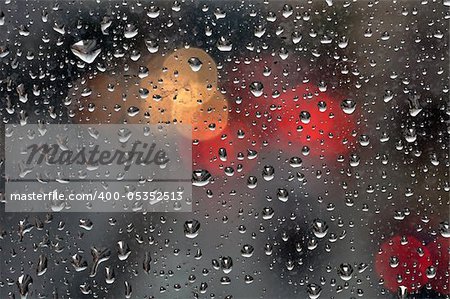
column 191, row 95
